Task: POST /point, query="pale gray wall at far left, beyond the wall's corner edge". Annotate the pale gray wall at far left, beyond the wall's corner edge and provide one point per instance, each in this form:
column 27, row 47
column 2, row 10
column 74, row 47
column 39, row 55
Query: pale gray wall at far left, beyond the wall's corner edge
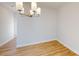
column 6, row 24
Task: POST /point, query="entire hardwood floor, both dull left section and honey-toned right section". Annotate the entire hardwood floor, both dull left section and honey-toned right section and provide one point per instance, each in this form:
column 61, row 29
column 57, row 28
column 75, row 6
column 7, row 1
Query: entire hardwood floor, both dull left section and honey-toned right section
column 52, row 48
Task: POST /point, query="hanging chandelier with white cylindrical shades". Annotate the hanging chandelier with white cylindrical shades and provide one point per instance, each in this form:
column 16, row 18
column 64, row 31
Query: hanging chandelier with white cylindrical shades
column 35, row 11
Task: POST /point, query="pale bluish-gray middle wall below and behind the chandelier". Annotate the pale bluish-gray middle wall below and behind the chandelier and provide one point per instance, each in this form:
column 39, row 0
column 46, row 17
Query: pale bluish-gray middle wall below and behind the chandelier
column 36, row 29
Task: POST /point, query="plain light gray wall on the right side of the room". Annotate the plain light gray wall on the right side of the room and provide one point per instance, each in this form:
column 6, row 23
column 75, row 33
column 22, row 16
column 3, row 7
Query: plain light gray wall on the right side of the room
column 68, row 25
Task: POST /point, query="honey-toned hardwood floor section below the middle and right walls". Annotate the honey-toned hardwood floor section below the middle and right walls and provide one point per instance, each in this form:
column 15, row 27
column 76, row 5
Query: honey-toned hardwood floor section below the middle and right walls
column 52, row 48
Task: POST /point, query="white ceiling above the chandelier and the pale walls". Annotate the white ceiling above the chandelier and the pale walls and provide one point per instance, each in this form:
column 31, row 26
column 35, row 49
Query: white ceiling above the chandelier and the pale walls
column 12, row 5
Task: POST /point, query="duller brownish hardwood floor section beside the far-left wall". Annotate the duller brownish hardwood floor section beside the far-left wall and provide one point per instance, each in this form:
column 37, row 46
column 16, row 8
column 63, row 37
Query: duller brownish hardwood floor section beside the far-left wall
column 9, row 48
